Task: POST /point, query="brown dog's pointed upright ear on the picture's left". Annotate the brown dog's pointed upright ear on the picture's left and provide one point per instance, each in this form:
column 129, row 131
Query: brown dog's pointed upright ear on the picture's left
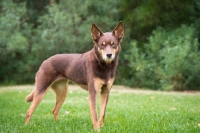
column 96, row 33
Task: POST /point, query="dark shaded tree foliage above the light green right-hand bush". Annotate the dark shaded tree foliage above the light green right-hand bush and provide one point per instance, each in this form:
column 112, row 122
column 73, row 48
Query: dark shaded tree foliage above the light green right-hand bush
column 144, row 16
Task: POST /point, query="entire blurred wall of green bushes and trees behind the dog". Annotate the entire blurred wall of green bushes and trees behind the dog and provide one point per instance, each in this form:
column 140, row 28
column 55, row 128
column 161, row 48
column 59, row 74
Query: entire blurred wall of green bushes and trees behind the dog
column 160, row 49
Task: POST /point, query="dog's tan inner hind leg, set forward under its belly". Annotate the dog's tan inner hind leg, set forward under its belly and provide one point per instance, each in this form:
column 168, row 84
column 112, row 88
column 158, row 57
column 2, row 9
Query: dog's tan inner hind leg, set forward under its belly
column 60, row 88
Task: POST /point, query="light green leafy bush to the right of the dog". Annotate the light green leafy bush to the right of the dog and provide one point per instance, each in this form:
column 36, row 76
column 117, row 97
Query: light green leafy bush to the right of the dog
column 170, row 60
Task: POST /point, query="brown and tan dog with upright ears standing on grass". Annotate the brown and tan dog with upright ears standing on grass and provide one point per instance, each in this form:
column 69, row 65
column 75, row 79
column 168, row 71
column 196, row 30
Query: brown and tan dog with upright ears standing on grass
column 94, row 71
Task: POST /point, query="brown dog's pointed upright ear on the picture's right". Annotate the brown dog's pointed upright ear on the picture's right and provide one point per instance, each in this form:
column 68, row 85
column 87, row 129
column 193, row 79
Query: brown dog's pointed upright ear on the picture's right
column 119, row 31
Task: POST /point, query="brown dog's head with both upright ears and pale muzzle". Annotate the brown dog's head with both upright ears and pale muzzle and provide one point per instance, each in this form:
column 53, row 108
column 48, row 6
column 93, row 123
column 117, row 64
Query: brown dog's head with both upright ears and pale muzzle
column 107, row 44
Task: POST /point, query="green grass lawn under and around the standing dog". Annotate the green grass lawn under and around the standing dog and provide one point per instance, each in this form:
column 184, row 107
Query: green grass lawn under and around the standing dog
column 127, row 112
